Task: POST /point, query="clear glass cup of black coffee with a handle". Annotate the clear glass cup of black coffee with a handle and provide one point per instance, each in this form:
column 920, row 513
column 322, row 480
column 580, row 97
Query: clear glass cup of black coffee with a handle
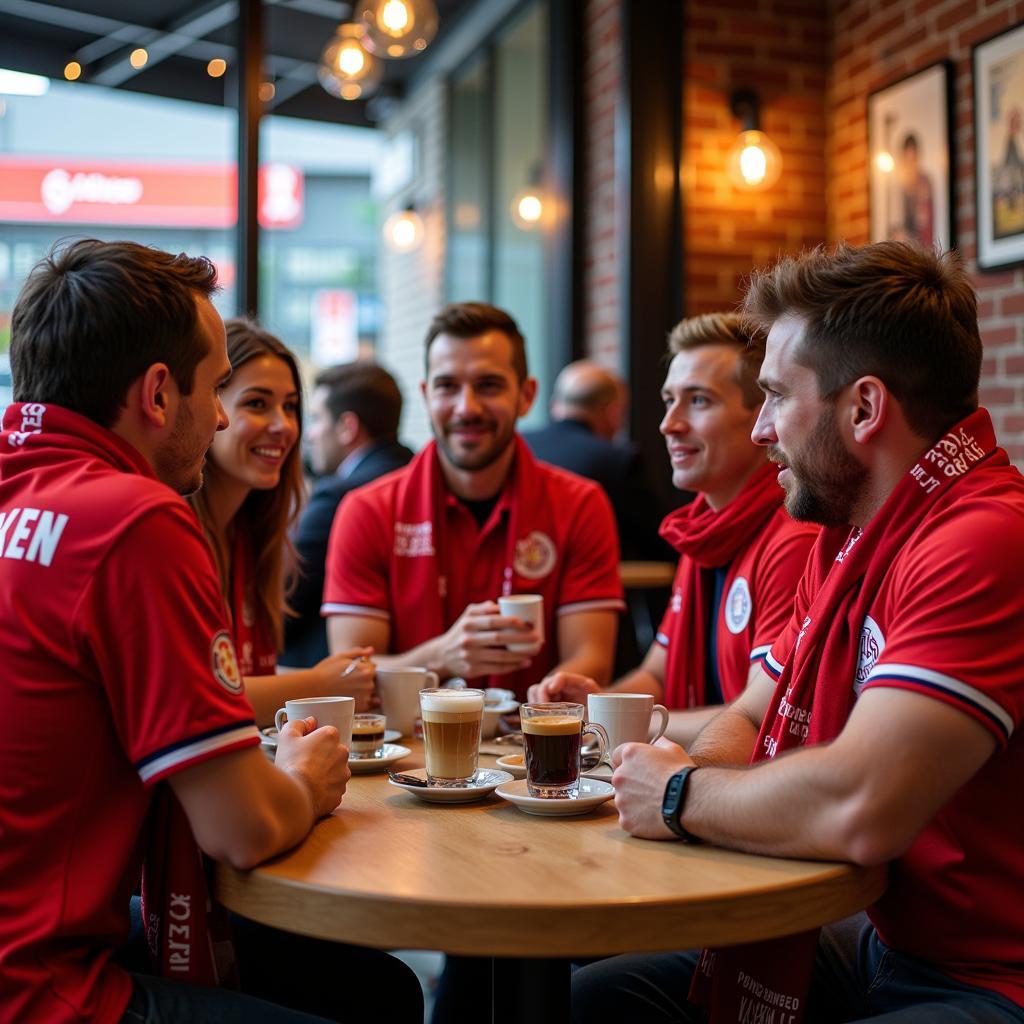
column 552, row 738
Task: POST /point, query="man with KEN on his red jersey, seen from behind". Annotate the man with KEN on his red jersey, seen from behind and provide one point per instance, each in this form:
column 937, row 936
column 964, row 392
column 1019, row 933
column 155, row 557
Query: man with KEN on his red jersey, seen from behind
column 119, row 686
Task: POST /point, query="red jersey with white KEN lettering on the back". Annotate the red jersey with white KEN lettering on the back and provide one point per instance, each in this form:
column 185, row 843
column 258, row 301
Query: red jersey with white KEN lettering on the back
column 116, row 671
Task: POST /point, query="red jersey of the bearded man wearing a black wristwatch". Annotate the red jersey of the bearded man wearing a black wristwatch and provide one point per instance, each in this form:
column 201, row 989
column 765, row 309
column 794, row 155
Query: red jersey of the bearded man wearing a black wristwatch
column 947, row 624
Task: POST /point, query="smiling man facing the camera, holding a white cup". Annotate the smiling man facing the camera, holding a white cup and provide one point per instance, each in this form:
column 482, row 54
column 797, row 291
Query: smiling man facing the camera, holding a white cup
column 417, row 560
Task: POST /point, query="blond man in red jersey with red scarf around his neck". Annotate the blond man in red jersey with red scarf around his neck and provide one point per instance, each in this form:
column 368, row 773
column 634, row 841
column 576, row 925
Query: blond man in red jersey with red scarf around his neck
column 742, row 554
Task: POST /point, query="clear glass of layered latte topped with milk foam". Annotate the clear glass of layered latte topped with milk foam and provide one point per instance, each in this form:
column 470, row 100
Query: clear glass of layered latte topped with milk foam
column 452, row 722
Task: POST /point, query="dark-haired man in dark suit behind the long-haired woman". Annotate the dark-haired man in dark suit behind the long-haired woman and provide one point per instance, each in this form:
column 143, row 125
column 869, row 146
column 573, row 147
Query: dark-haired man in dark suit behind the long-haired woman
column 353, row 439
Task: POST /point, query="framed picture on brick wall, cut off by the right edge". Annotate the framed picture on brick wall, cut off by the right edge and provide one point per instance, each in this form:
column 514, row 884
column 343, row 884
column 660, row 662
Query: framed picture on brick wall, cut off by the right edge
column 999, row 149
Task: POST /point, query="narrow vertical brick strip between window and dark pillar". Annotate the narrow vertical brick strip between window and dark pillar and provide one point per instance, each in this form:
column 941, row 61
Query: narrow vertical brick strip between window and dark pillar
column 602, row 74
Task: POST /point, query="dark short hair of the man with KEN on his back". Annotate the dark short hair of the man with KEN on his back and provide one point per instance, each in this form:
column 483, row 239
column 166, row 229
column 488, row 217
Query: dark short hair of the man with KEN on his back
column 95, row 316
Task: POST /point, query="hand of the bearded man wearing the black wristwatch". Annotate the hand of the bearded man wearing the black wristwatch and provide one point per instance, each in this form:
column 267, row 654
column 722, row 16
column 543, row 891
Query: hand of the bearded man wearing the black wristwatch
column 642, row 774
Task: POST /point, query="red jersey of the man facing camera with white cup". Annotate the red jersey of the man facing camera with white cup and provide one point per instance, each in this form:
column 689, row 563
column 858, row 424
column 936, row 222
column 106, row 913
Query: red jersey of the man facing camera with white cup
column 573, row 562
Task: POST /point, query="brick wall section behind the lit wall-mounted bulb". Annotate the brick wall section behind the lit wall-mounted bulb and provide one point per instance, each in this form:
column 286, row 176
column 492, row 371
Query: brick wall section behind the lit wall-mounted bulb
column 780, row 49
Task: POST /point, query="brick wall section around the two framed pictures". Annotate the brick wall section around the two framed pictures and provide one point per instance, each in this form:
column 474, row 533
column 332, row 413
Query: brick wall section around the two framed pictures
column 876, row 45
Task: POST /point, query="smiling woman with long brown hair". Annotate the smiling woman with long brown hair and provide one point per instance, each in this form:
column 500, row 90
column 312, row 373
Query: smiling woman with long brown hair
column 251, row 495
